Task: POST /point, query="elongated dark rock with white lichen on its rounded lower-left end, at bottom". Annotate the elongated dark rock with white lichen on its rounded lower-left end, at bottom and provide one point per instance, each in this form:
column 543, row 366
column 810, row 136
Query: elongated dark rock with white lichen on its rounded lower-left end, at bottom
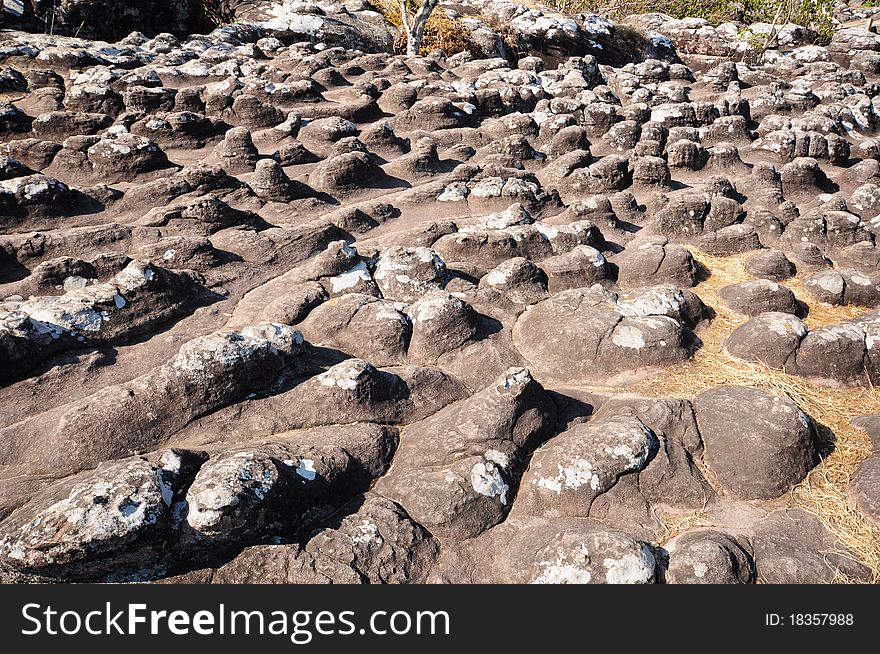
column 283, row 484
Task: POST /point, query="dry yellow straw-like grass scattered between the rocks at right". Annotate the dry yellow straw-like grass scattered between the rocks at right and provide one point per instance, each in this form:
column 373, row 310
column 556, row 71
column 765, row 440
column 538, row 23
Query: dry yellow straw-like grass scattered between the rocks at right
column 824, row 491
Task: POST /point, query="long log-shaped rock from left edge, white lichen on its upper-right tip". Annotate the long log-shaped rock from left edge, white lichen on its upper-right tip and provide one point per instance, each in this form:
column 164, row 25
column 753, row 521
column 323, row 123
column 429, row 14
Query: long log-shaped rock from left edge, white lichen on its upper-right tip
column 119, row 420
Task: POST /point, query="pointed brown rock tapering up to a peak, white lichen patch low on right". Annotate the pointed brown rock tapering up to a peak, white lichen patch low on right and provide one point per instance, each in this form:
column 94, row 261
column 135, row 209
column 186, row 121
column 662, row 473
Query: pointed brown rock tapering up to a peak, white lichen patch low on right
column 457, row 472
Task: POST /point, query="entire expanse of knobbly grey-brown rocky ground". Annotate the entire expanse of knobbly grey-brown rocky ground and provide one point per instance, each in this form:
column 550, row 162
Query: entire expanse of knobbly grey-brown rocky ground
column 599, row 303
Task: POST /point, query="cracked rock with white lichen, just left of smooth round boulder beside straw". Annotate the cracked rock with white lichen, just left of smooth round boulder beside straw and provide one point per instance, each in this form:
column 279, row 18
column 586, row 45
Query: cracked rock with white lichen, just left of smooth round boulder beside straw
column 618, row 471
